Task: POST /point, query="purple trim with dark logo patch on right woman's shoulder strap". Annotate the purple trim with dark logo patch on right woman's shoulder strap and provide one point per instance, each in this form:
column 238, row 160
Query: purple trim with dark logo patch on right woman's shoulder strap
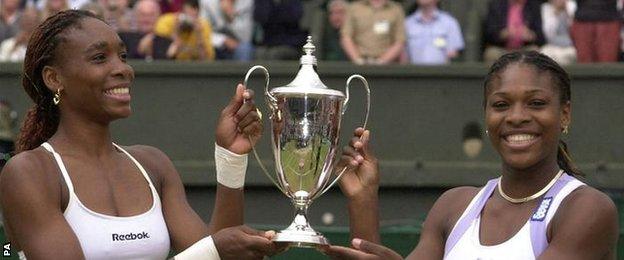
column 539, row 240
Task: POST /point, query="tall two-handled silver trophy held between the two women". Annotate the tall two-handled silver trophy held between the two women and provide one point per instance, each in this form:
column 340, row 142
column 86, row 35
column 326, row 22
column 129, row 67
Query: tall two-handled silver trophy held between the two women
column 305, row 122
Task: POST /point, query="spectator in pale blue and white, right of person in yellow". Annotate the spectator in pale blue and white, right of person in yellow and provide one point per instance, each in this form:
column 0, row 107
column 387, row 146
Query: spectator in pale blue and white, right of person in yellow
column 232, row 23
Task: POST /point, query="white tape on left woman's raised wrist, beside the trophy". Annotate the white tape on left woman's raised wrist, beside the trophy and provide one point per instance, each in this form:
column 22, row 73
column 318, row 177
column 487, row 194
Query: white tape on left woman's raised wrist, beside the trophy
column 231, row 167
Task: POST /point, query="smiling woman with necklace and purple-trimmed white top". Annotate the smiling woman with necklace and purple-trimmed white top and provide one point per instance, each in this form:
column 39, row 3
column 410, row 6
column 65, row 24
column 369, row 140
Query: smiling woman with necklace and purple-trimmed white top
column 537, row 209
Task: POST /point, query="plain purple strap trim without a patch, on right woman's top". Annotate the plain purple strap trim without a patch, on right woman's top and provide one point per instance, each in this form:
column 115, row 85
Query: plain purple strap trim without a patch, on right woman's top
column 464, row 223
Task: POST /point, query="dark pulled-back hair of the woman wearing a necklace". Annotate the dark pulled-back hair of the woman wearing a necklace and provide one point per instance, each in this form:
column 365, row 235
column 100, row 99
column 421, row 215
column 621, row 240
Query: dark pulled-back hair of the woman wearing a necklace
column 558, row 76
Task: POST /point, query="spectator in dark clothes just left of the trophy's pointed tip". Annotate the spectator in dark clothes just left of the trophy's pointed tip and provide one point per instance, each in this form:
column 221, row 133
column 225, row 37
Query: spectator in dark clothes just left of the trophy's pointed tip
column 282, row 37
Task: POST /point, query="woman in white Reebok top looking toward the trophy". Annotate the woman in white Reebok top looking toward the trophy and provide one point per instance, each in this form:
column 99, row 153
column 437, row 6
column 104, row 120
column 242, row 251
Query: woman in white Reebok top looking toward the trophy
column 71, row 193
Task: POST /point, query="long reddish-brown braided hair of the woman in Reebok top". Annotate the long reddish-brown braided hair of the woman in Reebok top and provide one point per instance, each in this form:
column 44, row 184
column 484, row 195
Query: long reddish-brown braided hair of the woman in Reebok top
column 43, row 118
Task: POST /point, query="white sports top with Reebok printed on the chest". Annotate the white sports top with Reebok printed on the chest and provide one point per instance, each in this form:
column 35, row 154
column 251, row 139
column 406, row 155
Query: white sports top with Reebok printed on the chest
column 143, row 236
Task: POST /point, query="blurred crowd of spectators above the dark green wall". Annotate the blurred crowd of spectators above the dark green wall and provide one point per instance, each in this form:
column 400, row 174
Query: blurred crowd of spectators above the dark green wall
column 360, row 31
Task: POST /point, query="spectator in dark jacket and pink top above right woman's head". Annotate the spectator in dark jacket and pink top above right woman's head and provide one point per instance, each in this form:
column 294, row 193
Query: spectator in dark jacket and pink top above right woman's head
column 512, row 25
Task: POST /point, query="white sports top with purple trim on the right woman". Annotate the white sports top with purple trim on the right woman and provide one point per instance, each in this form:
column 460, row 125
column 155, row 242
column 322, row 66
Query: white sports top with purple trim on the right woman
column 463, row 241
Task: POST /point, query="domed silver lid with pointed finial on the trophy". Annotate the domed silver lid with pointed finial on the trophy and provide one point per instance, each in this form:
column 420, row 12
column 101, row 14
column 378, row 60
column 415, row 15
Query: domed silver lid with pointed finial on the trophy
column 307, row 80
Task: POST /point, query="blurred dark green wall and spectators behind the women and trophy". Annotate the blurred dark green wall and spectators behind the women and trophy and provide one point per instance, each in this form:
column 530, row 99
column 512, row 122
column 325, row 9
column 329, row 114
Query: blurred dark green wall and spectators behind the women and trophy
column 425, row 61
